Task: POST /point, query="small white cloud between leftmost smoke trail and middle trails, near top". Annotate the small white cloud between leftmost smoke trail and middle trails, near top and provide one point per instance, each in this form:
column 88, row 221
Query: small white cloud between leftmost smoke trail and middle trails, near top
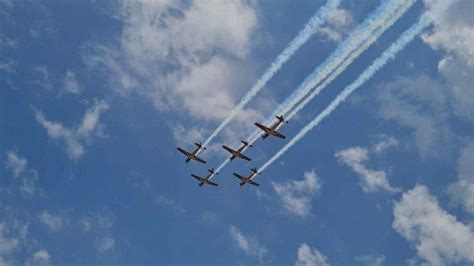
column 340, row 22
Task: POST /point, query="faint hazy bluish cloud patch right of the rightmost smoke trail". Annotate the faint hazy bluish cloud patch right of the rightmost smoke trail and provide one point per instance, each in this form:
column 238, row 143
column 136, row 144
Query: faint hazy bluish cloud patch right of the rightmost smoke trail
column 419, row 103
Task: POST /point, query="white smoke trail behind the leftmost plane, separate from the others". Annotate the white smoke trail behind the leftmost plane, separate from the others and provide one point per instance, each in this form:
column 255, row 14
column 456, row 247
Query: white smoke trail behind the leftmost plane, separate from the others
column 303, row 36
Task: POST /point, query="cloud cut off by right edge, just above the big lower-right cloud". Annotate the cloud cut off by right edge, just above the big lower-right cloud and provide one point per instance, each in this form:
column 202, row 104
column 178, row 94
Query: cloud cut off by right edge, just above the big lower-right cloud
column 462, row 191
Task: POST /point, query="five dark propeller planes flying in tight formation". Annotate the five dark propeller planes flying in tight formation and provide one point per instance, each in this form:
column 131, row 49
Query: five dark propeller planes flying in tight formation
column 271, row 130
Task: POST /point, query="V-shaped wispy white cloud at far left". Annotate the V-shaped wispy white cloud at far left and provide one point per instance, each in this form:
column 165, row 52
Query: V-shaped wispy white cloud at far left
column 76, row 139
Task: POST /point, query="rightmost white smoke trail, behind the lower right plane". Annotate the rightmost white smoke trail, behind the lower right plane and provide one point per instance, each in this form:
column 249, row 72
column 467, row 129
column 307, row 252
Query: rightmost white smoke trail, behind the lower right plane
column 387, row 55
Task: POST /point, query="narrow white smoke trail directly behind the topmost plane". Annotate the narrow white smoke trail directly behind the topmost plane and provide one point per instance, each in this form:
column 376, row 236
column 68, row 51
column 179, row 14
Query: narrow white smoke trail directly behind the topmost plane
column 351, row 58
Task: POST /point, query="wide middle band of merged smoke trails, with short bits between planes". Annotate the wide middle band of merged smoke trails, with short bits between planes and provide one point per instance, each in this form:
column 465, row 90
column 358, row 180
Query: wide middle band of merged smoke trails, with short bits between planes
column 357, row 42
